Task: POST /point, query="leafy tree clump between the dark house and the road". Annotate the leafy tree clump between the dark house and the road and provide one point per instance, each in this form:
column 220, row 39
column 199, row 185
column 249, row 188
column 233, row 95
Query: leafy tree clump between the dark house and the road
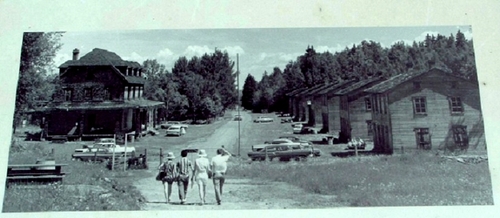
column 200, row 88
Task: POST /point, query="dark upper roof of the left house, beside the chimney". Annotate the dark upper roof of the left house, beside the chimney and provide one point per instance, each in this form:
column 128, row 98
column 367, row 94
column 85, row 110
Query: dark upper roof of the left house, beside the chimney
column 100, row 57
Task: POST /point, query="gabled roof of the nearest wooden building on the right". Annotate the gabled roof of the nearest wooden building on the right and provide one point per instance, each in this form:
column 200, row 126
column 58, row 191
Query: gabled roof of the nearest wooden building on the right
column 397, row 80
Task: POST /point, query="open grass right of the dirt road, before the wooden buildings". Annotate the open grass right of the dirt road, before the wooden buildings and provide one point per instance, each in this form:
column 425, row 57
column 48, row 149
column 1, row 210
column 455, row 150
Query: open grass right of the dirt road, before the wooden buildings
column 411, row 179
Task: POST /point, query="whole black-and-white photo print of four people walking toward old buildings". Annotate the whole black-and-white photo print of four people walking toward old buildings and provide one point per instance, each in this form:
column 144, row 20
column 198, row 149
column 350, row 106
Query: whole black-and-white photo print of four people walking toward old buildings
column 247, row 119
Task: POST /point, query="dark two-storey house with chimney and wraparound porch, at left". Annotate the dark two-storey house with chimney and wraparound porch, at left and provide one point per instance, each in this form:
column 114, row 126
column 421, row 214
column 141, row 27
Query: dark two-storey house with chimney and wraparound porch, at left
column 99, row 95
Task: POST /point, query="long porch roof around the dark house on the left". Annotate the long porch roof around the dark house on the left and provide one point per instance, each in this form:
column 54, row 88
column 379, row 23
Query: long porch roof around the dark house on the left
column 104, row 105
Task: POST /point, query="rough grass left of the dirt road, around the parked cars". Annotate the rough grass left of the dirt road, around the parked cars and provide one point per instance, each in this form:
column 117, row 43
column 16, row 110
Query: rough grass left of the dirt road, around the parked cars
column 87, row 186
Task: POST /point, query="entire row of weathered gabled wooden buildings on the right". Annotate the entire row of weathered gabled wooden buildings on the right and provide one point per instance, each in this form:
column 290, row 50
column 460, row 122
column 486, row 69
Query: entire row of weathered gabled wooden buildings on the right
column 423, row 110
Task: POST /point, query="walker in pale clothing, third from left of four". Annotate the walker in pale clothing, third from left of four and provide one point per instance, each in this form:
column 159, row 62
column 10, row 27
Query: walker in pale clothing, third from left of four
column 201, row 174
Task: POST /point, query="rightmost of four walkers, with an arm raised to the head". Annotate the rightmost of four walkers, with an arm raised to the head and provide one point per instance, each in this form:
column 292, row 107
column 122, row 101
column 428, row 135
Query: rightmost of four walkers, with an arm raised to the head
column 219, row 168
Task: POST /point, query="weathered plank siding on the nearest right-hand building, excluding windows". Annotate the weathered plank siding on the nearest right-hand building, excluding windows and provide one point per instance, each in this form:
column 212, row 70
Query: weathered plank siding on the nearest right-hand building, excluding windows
column 436, row 88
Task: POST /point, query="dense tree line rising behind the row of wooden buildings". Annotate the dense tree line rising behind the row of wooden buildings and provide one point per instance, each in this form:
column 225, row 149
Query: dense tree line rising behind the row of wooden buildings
column 453, row 54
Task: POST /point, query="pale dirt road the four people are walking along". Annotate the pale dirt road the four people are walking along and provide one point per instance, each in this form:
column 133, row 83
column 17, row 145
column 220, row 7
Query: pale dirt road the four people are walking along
column 238, row 193
